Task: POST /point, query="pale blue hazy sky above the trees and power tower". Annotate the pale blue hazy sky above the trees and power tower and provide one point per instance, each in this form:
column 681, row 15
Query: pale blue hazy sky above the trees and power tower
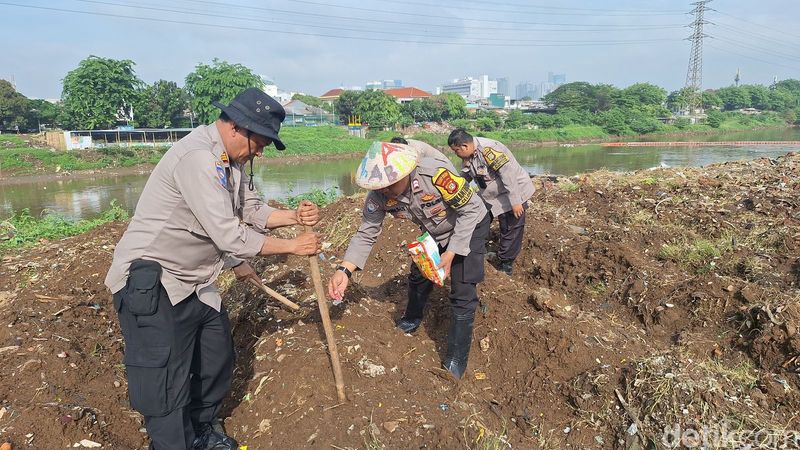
column 314, row 45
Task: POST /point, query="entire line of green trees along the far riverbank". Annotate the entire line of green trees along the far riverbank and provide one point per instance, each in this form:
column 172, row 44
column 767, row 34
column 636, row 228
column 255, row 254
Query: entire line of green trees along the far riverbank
column 102, row 93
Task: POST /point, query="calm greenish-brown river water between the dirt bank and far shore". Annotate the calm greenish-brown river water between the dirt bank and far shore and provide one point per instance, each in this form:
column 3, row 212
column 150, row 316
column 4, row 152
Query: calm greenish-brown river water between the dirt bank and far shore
column 88, row 197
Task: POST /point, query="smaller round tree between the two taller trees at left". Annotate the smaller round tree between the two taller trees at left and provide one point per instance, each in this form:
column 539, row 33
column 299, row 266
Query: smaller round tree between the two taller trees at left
column 161, row 105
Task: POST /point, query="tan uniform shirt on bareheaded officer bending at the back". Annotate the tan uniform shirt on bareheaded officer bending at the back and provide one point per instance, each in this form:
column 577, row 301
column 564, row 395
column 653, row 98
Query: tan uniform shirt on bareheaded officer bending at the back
column 502, row 182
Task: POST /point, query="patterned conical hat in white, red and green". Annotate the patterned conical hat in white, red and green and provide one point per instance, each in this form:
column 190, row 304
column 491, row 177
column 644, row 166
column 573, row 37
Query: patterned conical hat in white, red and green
column 385, row 164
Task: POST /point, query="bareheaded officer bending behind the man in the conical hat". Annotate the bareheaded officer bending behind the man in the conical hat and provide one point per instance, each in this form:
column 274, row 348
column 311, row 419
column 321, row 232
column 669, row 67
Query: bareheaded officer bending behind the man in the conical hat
column 503, row 184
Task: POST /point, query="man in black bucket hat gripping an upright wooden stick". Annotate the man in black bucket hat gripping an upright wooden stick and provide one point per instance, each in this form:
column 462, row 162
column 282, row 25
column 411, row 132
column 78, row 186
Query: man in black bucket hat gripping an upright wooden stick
column 198, row 214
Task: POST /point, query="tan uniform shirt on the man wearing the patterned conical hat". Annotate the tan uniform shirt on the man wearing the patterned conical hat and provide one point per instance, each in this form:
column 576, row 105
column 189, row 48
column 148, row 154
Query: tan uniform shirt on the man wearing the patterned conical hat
column 437, row 199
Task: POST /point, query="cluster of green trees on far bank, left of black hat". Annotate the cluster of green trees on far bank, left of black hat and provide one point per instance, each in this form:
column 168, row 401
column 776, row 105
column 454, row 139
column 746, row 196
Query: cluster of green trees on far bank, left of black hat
column 102, row 93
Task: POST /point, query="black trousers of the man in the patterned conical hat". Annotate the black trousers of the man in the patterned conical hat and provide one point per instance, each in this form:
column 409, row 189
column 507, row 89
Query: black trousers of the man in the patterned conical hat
column 465, row 273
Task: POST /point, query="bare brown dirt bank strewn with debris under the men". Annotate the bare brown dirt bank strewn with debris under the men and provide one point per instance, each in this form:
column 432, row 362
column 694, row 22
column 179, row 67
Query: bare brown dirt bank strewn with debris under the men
column 662, row 300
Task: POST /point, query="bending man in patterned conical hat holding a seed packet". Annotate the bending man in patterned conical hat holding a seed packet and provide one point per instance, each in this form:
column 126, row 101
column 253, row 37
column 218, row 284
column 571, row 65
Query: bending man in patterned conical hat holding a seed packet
column 428, row 192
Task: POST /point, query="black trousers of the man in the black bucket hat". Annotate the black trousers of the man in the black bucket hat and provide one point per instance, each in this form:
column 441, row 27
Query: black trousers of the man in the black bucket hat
column 179, row 363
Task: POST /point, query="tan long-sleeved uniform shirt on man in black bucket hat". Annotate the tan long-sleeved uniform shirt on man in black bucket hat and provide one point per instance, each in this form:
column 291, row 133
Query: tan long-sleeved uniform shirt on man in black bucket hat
column 191, row 218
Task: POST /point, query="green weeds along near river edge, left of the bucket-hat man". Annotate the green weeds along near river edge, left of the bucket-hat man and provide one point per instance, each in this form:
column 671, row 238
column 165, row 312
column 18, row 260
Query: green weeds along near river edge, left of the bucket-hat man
column 23, row 230
